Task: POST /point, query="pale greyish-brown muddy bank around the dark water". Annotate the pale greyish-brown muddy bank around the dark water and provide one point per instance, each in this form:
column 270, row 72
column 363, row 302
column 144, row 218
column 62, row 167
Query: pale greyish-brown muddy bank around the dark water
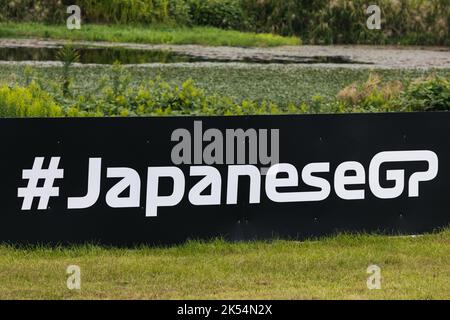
column 386, row 57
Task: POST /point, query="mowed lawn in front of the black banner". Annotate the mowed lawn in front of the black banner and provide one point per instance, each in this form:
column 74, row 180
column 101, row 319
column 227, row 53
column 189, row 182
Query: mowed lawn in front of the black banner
column 332, row 268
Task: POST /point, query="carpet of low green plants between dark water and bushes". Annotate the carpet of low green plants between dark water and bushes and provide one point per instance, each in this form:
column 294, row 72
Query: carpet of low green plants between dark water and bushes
column 281, row 84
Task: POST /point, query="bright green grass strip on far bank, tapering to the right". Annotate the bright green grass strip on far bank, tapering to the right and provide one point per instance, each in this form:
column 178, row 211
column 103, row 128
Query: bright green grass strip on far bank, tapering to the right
column 146, row 34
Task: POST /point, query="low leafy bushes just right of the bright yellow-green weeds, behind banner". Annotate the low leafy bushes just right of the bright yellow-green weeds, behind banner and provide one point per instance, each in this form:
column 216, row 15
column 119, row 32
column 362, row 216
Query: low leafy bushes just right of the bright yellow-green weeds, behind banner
column 157, row 97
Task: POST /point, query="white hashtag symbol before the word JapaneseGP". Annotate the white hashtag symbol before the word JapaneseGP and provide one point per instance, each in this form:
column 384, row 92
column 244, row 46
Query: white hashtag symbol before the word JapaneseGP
column 33, row 176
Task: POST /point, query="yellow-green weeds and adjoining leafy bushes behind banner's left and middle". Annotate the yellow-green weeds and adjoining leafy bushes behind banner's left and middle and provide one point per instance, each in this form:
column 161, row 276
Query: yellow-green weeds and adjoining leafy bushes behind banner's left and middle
column 154, row 97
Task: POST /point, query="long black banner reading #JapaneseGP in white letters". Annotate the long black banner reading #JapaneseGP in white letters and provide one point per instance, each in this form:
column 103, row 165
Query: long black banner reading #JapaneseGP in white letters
column 163, row 180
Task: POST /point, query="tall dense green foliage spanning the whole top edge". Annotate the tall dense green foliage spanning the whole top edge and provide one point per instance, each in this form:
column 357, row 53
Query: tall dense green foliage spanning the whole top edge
column 424, row 22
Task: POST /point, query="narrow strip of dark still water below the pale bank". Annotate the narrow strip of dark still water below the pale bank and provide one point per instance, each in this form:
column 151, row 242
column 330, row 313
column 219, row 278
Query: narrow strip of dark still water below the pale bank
column 134, row 56
